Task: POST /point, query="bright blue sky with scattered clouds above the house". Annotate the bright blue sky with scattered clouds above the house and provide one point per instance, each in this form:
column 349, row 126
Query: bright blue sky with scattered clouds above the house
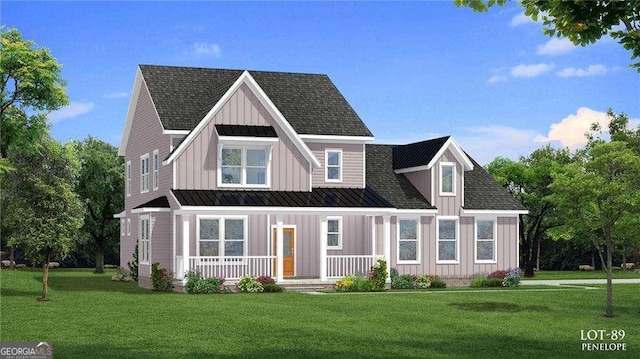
column 411, row 70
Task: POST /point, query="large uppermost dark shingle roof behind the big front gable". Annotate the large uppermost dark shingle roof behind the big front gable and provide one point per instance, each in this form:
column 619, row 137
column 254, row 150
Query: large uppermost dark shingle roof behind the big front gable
column 310, row 102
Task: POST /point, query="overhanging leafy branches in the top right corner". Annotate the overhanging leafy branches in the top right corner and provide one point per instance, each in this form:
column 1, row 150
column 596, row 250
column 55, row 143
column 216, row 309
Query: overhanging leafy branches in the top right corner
column 582, row 22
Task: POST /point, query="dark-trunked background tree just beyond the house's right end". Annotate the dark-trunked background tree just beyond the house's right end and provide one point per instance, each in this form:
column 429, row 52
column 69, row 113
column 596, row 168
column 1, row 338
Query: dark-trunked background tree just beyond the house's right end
column 528, row 181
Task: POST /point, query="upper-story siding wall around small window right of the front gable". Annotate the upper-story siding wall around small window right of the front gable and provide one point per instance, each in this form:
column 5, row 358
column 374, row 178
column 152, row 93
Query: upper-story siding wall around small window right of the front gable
column 352, row 165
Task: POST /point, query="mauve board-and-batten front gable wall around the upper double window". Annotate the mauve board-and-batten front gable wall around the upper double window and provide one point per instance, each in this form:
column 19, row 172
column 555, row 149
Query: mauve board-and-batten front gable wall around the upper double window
column 196, row 167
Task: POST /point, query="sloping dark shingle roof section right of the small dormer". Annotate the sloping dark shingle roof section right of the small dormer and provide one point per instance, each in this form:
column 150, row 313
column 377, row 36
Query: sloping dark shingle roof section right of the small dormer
column 481, row 191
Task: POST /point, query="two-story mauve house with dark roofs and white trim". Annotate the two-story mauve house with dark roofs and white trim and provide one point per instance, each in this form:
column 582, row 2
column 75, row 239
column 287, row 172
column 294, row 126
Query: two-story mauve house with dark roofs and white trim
column 233, row 172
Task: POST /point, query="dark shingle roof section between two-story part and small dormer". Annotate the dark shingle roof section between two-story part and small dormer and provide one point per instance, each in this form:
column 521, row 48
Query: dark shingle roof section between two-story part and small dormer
column 394, row 187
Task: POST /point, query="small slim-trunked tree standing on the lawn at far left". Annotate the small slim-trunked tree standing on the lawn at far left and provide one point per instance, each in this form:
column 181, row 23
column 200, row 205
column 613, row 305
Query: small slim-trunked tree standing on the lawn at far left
column 43, row 206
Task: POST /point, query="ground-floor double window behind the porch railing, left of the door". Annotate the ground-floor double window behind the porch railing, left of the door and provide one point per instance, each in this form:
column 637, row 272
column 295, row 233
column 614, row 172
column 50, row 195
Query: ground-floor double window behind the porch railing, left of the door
column 222, row 236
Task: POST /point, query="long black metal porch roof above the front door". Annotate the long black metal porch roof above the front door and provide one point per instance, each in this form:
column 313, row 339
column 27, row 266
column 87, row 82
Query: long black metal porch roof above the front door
column 319, row 197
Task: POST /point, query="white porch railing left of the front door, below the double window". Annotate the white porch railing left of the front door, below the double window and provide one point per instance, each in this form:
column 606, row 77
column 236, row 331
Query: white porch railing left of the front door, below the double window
column 233, row 267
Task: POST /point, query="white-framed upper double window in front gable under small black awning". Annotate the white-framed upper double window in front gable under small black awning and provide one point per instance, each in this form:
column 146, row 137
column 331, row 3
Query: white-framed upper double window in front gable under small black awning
column 244, row 167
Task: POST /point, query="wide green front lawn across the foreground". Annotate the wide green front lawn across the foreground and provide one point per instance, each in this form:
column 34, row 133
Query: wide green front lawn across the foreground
column 90, row 316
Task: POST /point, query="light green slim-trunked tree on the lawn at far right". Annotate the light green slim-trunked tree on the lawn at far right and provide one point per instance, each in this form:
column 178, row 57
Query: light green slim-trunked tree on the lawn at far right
column 597, row 194
